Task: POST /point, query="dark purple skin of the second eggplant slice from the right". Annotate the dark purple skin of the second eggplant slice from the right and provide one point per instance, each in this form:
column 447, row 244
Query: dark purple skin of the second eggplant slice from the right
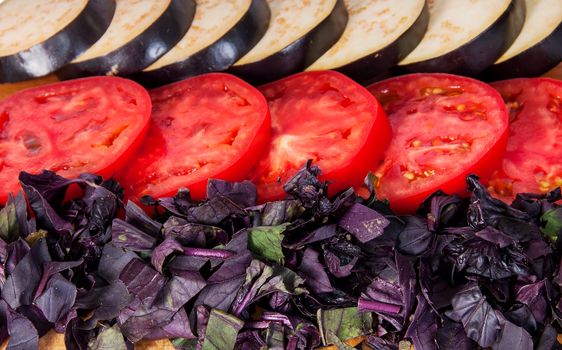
column 481, row 52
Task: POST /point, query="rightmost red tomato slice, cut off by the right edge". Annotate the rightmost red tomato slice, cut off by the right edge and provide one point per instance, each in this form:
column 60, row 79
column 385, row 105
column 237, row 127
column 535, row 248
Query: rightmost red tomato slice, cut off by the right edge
column 533, row 160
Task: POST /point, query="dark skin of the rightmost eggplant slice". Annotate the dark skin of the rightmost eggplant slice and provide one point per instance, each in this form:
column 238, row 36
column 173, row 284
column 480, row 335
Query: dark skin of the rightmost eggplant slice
column 535, row 61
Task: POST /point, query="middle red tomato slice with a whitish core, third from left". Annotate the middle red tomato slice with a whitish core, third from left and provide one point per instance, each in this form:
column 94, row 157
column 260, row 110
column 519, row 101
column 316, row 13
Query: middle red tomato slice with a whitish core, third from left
column 326, row 117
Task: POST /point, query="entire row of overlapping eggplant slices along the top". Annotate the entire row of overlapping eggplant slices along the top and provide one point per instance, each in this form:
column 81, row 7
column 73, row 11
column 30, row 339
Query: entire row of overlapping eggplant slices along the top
column 160, row 41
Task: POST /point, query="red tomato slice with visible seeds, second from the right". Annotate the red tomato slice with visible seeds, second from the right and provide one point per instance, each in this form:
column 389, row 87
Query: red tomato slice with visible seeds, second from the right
column 444, row 128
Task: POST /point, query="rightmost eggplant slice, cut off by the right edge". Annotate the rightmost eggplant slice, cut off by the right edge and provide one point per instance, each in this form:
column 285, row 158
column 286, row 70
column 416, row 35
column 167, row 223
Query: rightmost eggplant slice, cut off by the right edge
column 538, row 48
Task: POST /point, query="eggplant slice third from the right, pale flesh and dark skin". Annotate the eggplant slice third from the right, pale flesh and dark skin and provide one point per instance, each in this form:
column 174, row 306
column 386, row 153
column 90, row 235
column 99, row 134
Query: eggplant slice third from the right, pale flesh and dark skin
column 378, row 35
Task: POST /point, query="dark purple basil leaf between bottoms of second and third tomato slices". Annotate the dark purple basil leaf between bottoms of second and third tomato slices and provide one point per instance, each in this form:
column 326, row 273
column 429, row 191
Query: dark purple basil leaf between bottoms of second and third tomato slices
column 242, row 193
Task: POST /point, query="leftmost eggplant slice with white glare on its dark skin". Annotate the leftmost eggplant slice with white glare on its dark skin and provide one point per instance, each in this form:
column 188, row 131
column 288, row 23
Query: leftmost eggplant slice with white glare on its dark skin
column 38, row 37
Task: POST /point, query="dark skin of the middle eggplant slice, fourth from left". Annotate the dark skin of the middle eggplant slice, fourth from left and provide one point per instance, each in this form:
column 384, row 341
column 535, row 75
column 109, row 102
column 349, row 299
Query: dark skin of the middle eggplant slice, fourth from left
column 298, row 55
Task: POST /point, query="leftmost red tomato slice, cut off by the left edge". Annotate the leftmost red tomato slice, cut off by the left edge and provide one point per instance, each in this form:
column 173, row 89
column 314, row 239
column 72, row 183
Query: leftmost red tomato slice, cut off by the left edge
column 87, row 125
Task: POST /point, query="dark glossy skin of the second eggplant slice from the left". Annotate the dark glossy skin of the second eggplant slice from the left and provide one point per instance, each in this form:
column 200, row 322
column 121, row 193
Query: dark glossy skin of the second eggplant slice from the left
column 140, row 52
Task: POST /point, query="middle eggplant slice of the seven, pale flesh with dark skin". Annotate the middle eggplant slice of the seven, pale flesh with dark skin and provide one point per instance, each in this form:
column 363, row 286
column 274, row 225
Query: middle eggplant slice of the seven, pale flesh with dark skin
column 299, row 32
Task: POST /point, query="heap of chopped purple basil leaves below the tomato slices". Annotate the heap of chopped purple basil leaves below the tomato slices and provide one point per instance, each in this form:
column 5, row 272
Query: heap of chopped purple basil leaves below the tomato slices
column 298, row 273
